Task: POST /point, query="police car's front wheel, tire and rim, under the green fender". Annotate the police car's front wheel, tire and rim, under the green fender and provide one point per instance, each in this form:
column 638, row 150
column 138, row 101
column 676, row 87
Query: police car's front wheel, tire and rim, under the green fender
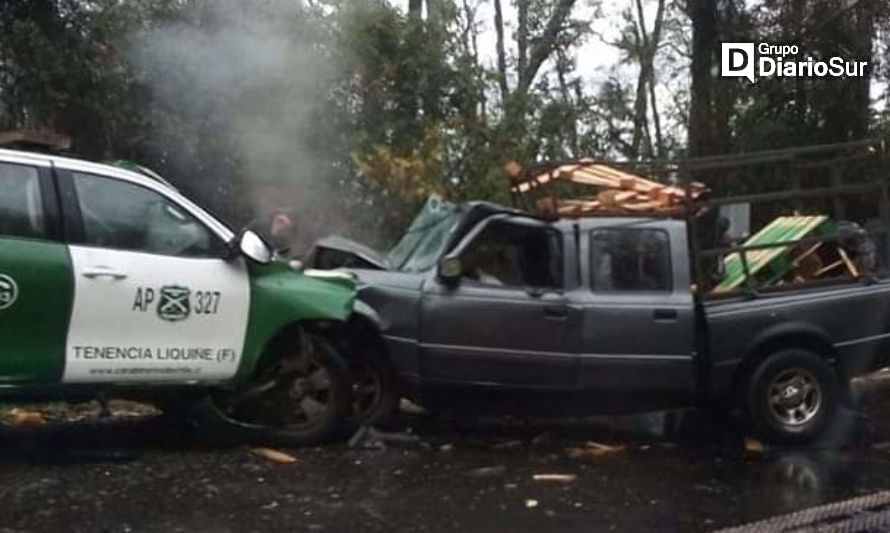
column 299, row 399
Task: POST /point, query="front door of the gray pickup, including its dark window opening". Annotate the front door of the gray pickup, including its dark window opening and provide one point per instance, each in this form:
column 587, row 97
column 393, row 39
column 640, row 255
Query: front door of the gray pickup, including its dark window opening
column 506, row 321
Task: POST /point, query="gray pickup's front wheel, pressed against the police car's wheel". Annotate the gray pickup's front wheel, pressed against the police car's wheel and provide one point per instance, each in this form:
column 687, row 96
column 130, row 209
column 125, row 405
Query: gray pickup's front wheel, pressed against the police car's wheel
column 374, row 391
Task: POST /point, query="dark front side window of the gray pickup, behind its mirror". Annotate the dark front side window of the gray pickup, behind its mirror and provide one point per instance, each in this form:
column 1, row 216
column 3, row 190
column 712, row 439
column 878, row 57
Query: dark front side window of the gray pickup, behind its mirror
column 515, row 255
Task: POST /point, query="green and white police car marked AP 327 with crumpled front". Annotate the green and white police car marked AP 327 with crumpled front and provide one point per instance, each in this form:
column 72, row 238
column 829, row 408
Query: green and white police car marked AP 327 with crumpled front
column 113, row 284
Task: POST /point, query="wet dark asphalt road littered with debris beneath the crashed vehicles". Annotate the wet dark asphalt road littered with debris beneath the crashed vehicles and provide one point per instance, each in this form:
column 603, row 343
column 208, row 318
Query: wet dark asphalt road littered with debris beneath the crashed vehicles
column 679, row 472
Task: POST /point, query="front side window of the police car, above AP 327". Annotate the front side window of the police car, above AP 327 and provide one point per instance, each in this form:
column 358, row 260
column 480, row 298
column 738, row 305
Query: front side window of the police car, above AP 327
column 124, row 216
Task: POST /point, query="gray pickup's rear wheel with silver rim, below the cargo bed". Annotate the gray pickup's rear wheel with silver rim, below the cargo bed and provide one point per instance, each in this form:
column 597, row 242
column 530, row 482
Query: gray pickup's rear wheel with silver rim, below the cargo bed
column 792, row 397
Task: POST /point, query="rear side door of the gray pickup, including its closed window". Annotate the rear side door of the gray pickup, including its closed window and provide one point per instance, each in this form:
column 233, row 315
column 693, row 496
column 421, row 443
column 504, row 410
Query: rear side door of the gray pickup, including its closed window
column 638, row 331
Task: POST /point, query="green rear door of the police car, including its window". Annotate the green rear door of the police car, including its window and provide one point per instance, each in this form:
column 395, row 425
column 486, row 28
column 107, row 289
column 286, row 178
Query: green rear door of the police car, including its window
column 35, row 275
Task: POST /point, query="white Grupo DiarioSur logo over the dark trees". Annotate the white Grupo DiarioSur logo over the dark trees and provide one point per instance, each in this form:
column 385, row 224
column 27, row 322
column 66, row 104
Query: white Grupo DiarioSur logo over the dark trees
column 739, row 60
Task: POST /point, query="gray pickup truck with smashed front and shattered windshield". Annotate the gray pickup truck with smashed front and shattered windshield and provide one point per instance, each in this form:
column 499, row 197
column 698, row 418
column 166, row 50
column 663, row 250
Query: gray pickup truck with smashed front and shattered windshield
column 601, row 314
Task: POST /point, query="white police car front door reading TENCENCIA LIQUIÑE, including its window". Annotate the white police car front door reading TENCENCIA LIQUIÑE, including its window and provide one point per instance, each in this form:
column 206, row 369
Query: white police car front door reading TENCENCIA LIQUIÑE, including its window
column 155, row 297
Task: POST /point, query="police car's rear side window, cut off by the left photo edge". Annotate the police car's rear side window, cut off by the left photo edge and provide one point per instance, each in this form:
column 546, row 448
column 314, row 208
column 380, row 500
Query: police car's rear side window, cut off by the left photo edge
column 21, row 207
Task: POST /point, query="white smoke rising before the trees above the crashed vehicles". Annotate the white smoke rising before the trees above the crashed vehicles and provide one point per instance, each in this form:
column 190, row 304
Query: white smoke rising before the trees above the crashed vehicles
column 261, row 70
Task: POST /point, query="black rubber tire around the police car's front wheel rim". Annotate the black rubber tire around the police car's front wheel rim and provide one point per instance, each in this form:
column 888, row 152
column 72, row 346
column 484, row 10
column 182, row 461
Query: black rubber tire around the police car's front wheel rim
column 318, row 432
